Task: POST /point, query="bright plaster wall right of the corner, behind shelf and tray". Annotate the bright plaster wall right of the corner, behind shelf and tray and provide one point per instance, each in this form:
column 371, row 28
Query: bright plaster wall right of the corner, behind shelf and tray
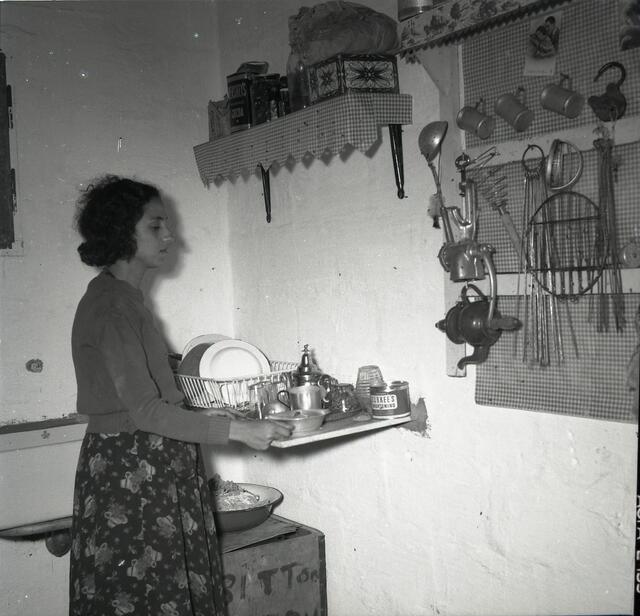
column 493, row 511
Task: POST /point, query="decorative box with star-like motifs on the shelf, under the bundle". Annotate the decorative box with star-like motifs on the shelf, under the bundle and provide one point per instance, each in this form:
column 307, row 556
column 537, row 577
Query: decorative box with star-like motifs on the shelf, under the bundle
column 357, row 73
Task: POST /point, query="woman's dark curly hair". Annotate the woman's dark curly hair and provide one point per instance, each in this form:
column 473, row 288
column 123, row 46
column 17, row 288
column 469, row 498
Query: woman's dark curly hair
column 108, row 211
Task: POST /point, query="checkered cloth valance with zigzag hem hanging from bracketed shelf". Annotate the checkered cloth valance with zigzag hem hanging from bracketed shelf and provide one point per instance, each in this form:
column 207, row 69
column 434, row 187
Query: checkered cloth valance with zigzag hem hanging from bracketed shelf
column 327, row 127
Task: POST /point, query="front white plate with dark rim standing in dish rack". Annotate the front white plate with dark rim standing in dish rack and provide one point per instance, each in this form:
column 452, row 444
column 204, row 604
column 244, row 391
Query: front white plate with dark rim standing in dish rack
column 231, row 359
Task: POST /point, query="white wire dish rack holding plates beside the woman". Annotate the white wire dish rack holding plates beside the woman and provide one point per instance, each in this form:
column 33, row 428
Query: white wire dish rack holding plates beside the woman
column 213, row 393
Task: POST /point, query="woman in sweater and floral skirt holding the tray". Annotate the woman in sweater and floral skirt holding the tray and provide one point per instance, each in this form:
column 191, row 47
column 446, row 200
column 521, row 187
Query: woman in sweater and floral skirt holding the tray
column 144, row 540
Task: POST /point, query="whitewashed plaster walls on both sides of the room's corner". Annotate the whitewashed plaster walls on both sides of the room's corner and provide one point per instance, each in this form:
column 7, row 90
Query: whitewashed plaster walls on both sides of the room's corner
column 491, row 511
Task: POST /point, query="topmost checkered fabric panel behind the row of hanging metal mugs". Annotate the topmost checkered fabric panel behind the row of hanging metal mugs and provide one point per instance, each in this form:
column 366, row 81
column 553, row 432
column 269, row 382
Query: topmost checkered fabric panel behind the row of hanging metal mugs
column 493, row 64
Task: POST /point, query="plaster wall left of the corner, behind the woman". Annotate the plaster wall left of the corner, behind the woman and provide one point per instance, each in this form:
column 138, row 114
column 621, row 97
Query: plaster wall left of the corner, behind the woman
column 119, row 87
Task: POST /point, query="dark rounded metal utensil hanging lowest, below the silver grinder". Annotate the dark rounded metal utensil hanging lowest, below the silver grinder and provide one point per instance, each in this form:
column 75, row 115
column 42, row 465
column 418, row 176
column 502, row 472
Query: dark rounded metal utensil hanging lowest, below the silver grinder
column 477, row 323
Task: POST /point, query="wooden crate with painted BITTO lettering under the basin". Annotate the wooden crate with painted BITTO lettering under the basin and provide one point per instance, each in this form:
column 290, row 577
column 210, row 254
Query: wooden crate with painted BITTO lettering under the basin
column 285, row 576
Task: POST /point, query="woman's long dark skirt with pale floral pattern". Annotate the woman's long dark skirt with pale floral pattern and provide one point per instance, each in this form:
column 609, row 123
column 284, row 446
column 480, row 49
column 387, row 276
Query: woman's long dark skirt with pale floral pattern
column 143, row 535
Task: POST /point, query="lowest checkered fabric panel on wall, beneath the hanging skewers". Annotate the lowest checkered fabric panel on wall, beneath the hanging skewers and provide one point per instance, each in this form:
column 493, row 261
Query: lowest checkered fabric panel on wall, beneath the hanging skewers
column 591, row 382
